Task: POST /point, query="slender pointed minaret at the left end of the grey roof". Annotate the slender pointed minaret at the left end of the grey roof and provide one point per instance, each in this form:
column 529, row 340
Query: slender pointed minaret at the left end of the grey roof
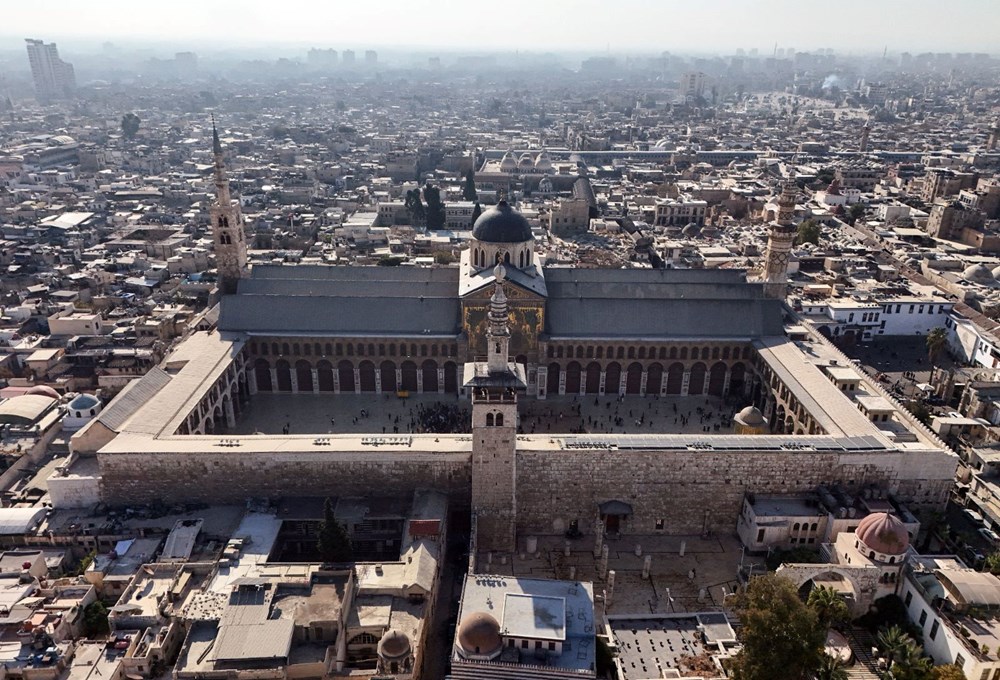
column 227, row 226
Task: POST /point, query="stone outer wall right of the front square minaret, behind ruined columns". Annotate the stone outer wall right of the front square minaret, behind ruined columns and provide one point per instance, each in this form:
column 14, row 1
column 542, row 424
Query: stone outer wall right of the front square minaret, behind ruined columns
column 694, row 490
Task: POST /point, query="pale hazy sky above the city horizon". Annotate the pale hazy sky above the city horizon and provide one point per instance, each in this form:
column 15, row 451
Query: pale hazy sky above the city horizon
column 535, row 25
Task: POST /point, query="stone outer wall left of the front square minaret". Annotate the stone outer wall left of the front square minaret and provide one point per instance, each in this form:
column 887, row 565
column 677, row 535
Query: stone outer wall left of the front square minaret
column 232, row 477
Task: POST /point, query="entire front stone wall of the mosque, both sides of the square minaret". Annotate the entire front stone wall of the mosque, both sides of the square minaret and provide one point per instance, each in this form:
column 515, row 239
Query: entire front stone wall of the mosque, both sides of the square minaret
column 553, row 487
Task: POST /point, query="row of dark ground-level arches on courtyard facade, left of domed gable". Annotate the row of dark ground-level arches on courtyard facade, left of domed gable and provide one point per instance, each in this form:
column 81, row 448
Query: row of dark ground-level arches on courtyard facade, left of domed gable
column 324, row 376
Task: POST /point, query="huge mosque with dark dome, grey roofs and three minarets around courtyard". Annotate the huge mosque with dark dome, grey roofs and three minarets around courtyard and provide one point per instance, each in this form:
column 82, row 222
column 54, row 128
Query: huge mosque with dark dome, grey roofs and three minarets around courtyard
column 500, row 328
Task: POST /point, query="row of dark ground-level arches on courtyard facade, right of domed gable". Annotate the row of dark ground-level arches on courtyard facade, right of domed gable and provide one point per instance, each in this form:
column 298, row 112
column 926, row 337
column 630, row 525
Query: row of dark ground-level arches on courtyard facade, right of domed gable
column 701, row 379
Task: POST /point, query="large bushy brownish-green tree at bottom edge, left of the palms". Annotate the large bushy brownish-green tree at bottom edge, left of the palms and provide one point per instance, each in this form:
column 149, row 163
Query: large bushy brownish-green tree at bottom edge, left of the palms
column 782, row 637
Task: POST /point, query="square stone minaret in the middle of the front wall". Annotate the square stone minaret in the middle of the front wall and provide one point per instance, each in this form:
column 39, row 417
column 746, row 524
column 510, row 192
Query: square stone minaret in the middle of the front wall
column 494, row 388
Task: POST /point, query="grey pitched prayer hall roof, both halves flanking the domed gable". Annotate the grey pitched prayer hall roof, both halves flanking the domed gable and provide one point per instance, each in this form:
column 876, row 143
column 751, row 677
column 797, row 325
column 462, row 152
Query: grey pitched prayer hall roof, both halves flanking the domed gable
column 582, row 303
